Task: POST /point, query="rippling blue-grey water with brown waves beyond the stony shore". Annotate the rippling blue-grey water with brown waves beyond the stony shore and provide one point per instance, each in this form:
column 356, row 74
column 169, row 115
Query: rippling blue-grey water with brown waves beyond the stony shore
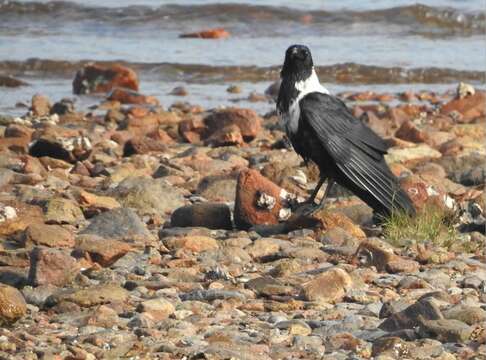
column 372, row 35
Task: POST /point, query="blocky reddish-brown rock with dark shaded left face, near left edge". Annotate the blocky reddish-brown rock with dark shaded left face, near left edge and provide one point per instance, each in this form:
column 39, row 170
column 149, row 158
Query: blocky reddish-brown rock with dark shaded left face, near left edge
column 51, row 267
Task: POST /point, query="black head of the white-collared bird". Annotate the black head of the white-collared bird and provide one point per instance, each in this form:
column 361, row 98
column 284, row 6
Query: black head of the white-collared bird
column 298, row 62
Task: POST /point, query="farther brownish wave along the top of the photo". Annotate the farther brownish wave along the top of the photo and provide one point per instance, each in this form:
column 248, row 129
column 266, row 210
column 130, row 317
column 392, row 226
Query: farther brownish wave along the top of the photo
column 417, row 18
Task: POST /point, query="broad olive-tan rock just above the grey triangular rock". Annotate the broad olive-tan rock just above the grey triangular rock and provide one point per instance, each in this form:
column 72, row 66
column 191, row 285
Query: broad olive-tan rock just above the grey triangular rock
column 148, row 196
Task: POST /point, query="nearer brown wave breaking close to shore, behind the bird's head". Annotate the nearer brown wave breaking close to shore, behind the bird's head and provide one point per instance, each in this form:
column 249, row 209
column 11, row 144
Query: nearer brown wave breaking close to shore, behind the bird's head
column 345, row 73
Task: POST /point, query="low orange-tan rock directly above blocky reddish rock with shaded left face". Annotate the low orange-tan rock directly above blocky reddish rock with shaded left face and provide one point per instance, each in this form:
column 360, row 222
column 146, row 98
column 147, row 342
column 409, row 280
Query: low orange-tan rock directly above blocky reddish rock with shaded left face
column 47, row 235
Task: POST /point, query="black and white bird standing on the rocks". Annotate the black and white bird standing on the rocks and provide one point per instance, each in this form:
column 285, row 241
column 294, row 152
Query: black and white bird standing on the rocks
column 322, row 129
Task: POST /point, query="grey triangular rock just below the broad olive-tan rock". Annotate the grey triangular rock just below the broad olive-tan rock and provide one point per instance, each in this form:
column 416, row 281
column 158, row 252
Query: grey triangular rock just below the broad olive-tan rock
column 119, row 224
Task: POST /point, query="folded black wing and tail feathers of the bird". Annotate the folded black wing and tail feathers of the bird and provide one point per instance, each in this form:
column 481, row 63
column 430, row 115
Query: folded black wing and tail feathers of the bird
column 357, row 152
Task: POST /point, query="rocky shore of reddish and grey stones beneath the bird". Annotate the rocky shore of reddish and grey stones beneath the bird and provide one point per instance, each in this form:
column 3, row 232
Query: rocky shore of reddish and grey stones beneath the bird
column 132, row 231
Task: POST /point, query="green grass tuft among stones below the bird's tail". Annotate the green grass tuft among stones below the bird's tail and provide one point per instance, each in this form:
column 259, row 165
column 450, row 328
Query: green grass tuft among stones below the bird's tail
column 431, row 225
